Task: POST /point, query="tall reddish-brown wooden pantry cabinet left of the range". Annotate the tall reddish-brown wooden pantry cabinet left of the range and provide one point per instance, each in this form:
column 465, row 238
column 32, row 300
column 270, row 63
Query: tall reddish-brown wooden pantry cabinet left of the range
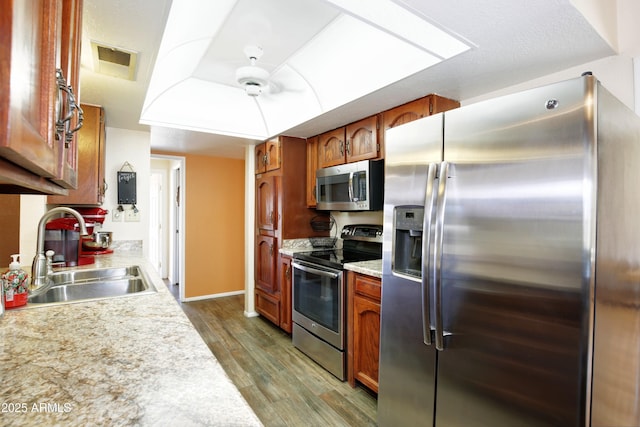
column 281, row 213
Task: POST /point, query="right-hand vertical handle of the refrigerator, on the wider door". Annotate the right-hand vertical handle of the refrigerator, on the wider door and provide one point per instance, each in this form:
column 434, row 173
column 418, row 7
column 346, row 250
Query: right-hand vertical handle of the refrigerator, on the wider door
column 437, row 255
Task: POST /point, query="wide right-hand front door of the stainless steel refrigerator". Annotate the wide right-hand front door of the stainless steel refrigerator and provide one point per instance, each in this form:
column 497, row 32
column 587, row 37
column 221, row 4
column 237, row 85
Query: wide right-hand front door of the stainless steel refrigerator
column 515, row 266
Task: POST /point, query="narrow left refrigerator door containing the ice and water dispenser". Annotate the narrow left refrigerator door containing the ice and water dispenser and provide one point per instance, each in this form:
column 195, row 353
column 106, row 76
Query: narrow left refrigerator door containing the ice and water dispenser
column 406, row 395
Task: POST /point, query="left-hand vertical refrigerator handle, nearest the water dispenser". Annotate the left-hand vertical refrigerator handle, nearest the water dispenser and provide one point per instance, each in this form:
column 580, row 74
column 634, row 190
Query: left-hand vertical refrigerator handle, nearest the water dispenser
column 429, row 201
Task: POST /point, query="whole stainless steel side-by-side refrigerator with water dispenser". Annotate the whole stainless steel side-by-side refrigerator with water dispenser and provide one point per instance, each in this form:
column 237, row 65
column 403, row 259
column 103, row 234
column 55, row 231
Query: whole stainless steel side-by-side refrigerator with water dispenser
column 511, row 263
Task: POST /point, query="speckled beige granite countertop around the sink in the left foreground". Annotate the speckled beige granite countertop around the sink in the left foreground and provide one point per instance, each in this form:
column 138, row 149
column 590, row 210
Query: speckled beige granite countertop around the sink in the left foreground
column 134, row 360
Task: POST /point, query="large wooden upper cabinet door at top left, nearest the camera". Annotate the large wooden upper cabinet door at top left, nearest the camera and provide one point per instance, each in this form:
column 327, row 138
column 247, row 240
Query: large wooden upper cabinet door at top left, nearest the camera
column 28, row 88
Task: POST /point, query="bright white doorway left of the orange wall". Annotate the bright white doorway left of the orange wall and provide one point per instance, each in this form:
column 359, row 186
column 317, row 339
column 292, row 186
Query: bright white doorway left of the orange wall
column 168, row 228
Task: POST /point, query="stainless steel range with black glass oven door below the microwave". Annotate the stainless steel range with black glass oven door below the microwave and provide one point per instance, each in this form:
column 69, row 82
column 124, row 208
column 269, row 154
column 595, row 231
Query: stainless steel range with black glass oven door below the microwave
column 319, row 295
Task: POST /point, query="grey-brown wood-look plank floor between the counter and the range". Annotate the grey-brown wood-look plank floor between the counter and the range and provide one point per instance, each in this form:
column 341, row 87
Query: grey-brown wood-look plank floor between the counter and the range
column 282, row 385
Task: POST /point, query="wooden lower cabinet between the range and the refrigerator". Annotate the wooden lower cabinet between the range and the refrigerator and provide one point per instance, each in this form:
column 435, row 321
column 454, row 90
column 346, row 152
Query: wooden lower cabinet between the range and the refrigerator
column 363, row 326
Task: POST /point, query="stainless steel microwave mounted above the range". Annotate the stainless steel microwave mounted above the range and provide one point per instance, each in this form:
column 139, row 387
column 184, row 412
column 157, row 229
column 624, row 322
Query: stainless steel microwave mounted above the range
column 357, row 186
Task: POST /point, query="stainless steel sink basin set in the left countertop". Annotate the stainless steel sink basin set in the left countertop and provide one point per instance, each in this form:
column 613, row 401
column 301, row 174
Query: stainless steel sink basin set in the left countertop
column 92, row 284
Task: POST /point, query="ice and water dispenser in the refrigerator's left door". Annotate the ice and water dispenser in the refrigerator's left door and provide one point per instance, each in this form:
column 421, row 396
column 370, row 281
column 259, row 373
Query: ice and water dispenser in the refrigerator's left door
column 407, row 253
